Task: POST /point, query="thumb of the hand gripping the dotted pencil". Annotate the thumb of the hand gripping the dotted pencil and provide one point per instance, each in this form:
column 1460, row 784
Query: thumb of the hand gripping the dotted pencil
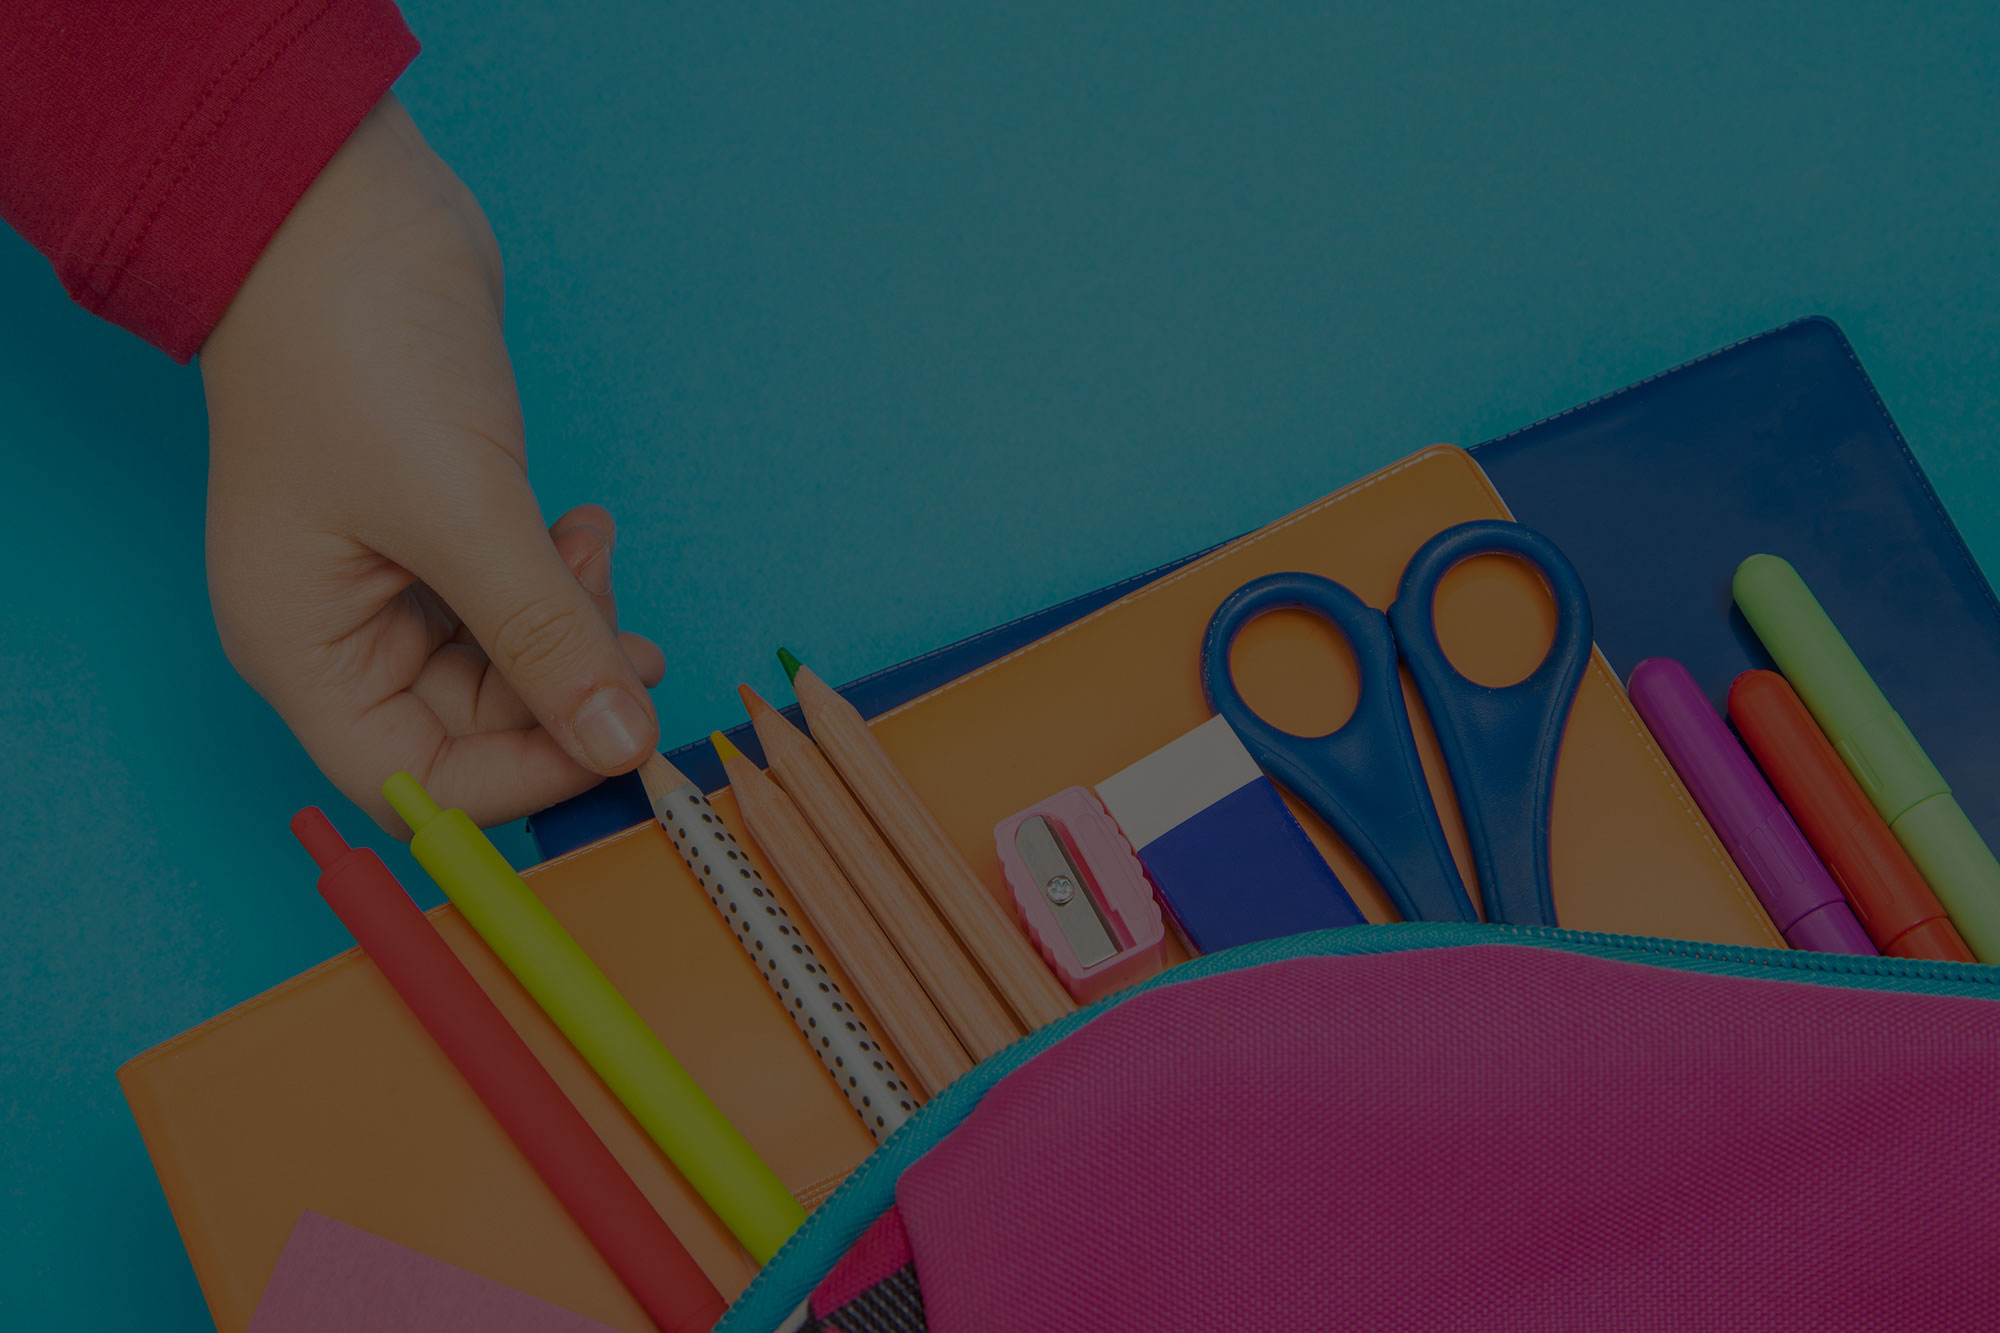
column 543, row 629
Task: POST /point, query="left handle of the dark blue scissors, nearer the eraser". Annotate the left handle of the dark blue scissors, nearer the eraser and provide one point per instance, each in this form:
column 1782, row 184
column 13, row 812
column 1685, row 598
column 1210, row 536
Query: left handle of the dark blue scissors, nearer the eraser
column 1365, row 778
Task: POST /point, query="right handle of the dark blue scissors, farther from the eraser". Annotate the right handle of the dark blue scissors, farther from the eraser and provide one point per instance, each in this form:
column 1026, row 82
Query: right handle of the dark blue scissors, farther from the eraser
column 1499, row 744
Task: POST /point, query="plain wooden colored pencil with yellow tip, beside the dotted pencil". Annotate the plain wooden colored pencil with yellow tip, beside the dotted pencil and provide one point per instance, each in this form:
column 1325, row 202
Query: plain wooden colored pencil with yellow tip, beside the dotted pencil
column 851, row 934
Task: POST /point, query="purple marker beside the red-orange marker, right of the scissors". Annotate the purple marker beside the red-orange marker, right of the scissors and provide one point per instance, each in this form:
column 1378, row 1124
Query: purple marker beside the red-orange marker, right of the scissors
column 1803, row 900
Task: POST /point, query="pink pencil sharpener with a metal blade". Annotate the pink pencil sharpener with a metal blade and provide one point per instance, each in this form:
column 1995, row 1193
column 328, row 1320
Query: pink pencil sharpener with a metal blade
column 1081, row 894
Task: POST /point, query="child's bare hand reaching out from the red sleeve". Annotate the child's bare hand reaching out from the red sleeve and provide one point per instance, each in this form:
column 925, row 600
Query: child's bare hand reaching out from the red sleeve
column 377, row 561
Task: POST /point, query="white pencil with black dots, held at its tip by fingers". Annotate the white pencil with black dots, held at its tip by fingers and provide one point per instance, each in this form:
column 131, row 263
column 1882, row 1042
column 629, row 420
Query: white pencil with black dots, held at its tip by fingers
column 795, row 974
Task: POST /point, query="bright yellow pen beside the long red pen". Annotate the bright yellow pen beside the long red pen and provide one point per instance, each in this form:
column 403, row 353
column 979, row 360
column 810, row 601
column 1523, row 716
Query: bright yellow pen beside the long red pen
column 599, row 1022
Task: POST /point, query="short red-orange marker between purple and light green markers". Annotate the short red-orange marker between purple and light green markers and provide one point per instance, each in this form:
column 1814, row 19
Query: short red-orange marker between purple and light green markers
column 1885, row 888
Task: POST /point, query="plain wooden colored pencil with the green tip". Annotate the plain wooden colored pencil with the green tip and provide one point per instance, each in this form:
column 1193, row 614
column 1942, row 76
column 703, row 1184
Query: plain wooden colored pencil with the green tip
column 909, row 826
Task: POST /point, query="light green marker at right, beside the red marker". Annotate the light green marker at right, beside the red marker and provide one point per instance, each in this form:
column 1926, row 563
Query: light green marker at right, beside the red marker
column 1879, row 750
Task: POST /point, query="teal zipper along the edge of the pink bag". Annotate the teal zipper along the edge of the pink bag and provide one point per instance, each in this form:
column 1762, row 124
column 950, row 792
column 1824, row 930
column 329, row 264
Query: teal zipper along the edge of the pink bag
column 871, row 1190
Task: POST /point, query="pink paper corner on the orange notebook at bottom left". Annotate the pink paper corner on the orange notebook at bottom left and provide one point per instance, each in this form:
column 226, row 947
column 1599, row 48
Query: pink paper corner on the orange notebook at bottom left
column 335, row 1280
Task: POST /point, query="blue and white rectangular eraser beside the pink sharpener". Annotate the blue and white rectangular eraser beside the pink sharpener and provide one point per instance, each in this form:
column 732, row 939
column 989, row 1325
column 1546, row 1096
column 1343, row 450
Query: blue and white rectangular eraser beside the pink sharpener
column 1223, row 852
